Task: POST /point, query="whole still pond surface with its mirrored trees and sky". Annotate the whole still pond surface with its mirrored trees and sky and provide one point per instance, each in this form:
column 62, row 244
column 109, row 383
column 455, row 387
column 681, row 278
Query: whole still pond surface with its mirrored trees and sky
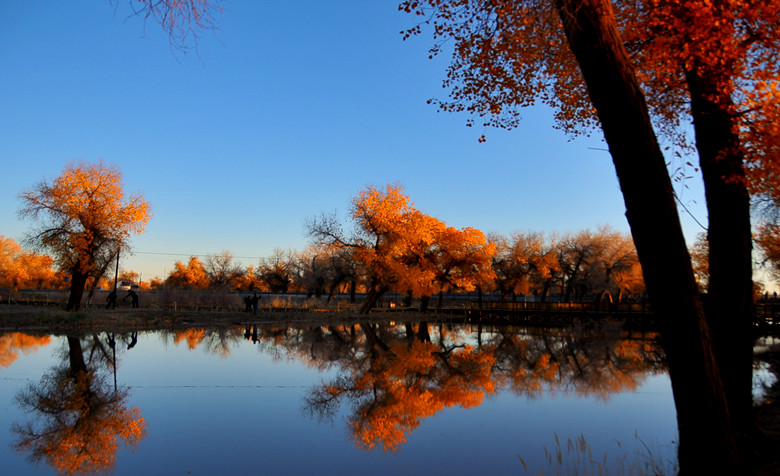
column 390, row 398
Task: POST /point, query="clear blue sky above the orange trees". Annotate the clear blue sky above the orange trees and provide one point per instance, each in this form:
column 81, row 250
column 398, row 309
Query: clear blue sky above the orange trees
column 286, row 111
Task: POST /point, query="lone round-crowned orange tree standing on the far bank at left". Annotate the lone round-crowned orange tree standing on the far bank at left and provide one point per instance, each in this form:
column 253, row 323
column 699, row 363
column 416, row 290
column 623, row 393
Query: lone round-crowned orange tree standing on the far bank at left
column 85, row 219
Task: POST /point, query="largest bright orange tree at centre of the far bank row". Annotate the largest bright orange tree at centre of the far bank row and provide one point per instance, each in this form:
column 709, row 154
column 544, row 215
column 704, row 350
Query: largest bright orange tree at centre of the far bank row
column 405, row 250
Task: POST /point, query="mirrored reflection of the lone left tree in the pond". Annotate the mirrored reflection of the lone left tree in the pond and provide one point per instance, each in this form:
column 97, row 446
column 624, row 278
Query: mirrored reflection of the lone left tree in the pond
column 78, row 416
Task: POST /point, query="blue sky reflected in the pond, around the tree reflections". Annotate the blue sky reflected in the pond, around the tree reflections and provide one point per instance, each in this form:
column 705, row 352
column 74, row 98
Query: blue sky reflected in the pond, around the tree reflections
column 242, row 414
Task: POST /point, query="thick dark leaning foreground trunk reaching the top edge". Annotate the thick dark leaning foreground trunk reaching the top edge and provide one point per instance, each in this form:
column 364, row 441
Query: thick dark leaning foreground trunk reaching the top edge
column 706, row 438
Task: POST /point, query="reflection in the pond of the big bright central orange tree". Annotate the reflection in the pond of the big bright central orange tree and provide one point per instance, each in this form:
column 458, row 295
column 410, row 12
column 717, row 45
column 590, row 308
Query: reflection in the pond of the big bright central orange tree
column 402, row 383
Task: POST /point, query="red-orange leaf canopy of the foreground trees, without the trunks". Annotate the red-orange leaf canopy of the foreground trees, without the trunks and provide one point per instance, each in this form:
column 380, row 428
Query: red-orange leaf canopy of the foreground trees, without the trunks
column 509, row 54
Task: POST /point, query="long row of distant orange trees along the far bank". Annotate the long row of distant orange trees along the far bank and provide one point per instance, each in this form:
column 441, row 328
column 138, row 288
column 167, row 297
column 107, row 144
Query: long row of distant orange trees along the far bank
column 393, row 247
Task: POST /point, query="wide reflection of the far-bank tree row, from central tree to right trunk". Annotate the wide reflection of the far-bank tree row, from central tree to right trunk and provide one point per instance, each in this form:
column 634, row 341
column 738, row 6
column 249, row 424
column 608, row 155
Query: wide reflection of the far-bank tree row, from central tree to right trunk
column 395, row 376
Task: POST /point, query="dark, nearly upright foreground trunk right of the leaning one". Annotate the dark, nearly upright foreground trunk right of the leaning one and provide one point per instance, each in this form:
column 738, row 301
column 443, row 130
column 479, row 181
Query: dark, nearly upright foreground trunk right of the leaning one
column 730, row 293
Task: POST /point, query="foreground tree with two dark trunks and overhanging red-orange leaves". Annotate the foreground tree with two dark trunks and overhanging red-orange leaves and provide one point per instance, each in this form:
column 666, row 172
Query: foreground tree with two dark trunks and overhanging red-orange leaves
column 662, row 59
